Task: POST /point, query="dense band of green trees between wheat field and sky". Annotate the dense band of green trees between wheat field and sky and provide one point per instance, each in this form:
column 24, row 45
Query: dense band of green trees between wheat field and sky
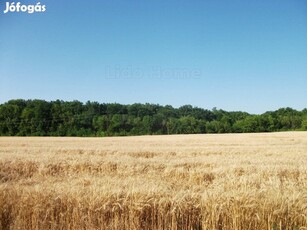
column 61, row 118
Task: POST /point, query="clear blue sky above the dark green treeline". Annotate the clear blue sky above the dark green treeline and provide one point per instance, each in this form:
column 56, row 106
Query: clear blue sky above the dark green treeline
column 234, row 55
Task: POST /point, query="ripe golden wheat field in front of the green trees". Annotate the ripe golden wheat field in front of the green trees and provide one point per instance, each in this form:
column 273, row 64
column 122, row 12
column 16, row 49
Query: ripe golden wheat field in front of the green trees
column 221, row 181
